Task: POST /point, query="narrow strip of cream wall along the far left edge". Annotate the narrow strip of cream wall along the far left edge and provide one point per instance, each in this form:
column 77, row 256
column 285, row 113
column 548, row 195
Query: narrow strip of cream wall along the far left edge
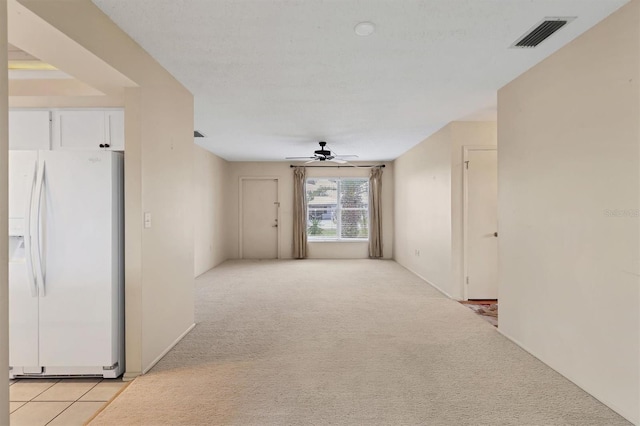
column 4, row 238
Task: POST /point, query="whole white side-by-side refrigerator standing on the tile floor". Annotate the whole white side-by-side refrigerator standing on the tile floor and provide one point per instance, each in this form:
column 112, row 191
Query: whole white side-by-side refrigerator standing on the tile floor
column 66, row 275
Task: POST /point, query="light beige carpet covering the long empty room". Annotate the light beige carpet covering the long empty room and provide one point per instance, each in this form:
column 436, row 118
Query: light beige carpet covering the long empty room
column 344, row 343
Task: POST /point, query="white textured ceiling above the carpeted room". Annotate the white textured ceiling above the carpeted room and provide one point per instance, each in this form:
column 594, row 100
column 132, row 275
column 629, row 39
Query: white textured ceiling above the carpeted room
column 272, row 77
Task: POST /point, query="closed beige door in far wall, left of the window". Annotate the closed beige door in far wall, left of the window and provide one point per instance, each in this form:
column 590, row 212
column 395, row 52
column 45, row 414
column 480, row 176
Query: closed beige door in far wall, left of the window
column 259, row 218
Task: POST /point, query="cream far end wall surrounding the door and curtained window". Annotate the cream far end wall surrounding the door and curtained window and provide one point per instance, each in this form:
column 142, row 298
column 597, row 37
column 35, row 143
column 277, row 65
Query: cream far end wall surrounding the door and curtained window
column 282, row 171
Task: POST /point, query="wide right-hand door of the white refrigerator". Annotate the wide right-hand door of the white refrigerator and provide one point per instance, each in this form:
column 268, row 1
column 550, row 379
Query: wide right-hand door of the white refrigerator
column 79, row 293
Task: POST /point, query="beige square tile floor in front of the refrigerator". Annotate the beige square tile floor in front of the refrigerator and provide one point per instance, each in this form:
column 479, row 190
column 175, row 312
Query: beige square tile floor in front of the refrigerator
column 59, row 402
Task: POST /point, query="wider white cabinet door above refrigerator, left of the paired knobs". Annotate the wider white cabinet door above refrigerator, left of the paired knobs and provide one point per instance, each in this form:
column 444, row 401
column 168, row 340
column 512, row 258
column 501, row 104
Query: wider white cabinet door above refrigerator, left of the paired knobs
column 78, row 129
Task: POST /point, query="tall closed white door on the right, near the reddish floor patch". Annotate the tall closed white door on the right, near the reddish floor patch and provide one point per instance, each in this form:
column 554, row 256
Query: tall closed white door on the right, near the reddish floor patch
column 481, row 253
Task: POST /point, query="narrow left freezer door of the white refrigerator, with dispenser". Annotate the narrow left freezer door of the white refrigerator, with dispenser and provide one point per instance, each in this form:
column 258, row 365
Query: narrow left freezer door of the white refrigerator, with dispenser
column 23, row 296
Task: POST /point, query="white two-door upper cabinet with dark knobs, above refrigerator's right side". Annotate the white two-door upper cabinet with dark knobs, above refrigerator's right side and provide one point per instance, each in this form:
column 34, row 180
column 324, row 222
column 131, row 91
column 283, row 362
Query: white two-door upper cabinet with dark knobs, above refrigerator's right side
column 88, row 129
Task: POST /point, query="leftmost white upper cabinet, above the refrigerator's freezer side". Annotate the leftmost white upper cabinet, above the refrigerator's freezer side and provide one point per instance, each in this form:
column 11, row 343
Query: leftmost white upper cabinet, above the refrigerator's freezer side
column 29, row 130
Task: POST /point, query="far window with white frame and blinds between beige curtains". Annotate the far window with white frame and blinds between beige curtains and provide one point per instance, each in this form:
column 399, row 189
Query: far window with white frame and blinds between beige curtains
column 337, row 209
